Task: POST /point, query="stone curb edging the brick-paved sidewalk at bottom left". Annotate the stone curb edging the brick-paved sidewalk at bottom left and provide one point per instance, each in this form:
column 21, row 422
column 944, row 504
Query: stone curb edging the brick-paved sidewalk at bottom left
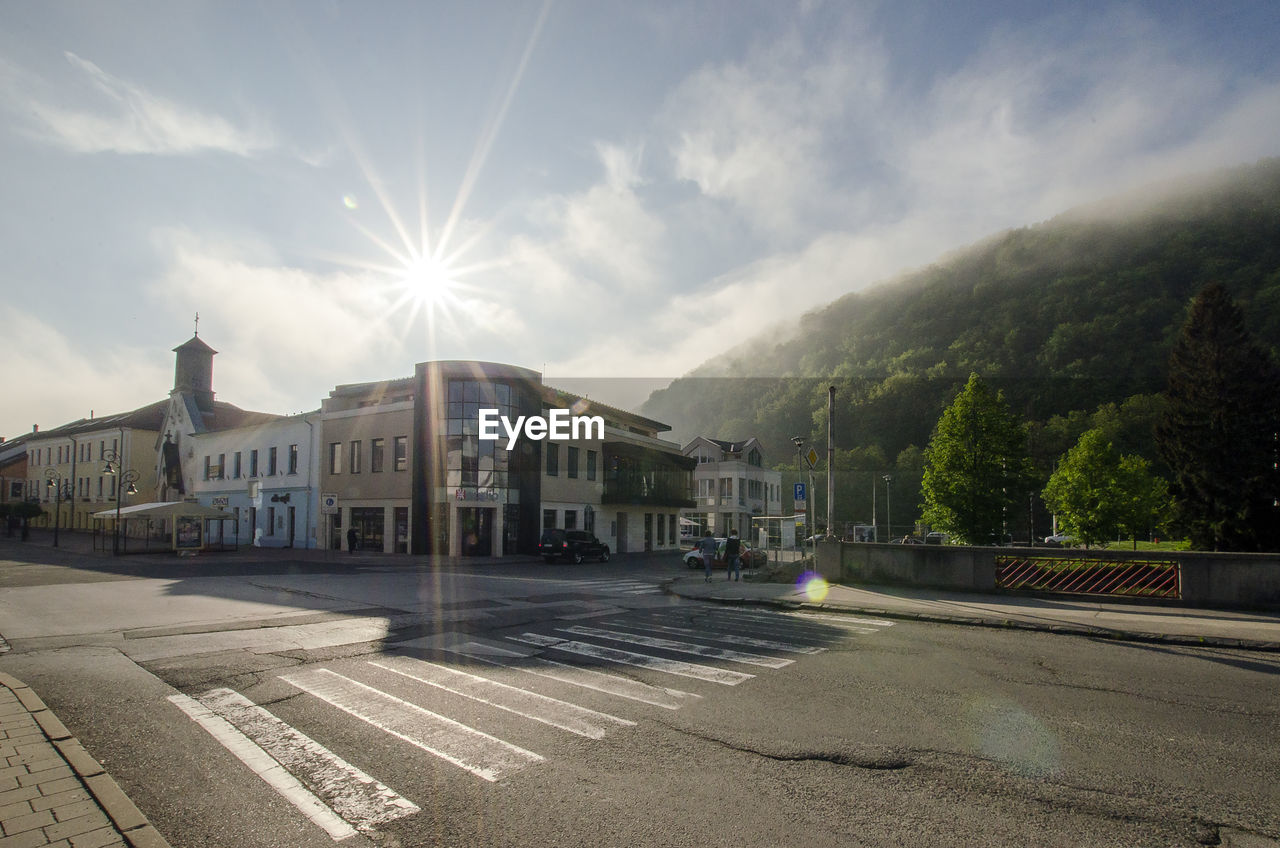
column 125, row 815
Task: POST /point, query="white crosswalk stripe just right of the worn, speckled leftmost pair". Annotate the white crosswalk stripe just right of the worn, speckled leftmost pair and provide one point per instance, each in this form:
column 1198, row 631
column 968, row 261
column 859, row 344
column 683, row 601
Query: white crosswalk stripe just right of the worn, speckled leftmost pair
column 484, row 756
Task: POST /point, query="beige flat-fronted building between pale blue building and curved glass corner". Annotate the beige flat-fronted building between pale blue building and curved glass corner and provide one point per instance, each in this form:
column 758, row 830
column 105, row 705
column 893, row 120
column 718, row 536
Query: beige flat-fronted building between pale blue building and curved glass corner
column 365, row 464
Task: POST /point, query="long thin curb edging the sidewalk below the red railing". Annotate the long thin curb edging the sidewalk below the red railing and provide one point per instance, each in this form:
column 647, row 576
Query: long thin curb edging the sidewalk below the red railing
column 1002, row 624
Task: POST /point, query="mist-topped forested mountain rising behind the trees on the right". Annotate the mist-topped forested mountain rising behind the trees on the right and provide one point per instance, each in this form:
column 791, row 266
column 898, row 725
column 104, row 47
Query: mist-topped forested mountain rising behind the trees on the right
column 1066, row 317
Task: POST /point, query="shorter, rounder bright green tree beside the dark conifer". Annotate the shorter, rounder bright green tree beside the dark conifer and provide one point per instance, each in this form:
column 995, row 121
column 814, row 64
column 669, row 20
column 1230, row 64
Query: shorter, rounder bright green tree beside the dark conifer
column 1098, row 494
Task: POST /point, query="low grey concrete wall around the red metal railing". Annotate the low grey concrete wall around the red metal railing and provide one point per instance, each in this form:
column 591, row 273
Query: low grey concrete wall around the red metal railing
column 1209, row 581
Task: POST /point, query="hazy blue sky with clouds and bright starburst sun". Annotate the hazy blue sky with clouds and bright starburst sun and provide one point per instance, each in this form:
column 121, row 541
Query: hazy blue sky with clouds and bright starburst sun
column 591, row 189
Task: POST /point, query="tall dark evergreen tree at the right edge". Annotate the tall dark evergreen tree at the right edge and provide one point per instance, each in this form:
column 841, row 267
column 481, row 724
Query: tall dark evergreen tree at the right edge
column 1219, row 431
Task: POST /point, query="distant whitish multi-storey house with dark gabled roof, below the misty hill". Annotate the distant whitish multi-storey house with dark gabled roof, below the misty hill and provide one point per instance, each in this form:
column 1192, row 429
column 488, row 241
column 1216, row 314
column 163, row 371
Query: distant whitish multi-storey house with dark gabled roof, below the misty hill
column 732, row 486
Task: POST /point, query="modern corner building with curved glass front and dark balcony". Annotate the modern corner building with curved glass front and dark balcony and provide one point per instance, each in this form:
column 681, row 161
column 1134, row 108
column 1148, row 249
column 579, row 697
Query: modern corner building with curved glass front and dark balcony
column 479, row 496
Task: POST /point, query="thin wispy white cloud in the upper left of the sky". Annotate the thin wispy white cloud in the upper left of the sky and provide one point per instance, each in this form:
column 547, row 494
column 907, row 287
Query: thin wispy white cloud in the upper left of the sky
column 103, row 113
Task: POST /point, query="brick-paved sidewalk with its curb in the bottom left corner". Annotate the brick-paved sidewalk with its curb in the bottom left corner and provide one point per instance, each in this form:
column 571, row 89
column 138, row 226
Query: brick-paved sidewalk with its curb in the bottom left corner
column 52, row 791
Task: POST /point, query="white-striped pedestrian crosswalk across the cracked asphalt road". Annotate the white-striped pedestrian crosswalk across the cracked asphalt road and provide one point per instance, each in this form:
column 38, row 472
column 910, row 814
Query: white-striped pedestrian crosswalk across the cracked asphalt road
column 458, row 700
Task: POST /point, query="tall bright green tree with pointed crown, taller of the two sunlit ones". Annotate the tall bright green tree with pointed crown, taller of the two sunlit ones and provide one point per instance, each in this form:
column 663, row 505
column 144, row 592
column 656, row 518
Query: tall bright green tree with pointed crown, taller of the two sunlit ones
column 976, row 467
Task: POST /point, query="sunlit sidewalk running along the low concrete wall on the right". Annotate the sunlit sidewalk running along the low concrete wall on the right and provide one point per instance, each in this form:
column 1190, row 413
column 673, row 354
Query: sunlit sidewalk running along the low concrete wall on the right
column 1137, row 623
